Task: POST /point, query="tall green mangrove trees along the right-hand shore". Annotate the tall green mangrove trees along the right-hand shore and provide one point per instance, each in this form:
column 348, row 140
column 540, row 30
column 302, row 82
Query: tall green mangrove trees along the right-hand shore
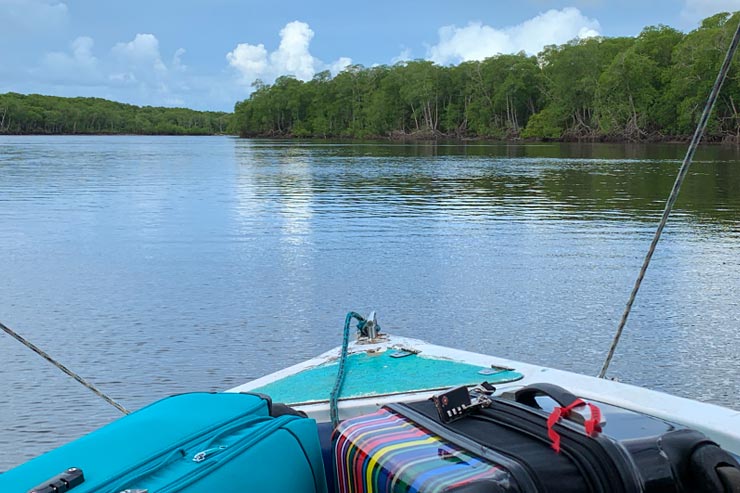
column 649, row 87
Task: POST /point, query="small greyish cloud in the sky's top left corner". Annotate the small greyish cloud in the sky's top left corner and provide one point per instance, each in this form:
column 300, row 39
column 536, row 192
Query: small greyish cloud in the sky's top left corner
column 32, row 15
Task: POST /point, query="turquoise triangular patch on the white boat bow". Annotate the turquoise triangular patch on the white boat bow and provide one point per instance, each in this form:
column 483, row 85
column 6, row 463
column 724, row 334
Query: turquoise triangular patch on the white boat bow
column 380, row 374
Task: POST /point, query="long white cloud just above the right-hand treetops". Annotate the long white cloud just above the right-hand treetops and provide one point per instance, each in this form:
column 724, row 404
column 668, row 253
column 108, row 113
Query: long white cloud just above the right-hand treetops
column 477, row 41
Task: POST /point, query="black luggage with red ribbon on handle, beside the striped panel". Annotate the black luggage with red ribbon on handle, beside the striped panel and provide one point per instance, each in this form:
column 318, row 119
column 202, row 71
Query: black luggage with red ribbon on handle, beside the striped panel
column 646, row 455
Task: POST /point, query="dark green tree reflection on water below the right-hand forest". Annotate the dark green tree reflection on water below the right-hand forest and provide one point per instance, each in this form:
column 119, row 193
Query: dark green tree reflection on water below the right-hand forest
column 553, row 180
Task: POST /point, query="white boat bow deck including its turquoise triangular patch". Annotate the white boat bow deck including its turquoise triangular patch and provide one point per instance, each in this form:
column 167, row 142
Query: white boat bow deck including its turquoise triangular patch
column 383, row 380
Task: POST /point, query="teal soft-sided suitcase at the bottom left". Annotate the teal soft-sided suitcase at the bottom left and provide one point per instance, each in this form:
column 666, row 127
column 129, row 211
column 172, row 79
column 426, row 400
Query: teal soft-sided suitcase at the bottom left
column 190, row 443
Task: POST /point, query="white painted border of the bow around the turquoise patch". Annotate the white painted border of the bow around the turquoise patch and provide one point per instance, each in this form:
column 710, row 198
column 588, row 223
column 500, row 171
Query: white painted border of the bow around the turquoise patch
column 719, row 423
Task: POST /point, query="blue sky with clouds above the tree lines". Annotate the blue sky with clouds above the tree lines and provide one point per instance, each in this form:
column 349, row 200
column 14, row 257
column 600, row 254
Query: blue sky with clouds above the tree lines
column 205, row 54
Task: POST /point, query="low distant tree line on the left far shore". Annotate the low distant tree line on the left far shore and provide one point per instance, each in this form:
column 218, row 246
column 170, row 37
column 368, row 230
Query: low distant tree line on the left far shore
column 35, row 114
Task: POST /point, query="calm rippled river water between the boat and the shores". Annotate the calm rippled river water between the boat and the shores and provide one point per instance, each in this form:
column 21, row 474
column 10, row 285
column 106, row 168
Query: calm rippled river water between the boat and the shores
column 157, row 265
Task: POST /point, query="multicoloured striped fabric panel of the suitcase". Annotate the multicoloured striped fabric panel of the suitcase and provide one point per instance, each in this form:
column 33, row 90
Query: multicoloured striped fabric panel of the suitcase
column 384, row 452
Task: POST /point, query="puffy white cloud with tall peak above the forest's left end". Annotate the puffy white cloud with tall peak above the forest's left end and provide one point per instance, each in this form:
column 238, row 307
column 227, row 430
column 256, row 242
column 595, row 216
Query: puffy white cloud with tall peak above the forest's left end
column 292, row 57
